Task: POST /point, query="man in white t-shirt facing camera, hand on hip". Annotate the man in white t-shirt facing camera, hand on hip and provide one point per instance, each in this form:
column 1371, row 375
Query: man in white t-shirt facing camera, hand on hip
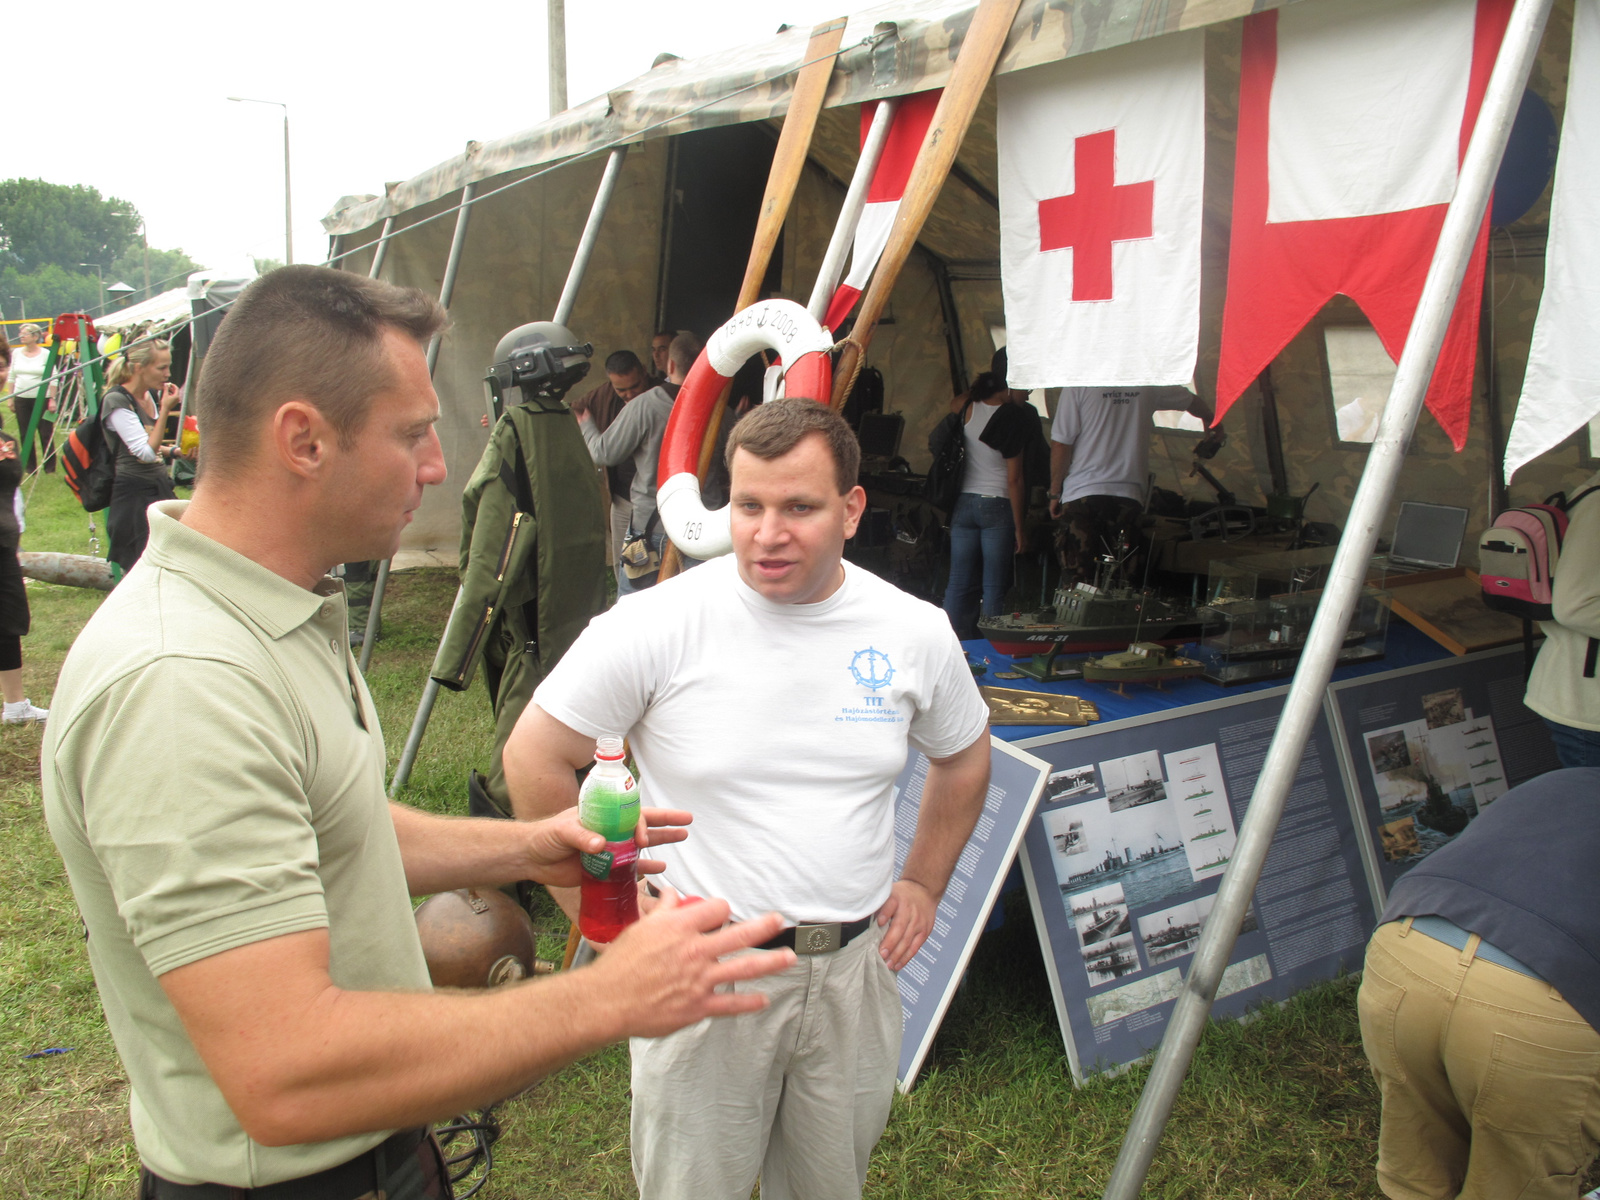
column 775, row 695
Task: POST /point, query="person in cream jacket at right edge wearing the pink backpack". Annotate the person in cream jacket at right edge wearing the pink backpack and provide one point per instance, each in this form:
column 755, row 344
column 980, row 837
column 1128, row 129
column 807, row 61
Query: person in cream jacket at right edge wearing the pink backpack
column 1566, row 682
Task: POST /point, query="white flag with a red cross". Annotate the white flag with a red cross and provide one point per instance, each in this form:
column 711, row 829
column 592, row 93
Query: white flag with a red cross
column 1102, row 175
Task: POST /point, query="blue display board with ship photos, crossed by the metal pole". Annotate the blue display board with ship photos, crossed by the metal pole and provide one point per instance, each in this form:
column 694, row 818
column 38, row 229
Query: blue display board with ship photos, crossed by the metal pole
column 1127, row 852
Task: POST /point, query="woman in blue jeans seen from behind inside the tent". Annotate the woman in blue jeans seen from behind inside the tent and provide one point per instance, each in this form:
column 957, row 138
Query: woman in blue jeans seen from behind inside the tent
column 986, row 524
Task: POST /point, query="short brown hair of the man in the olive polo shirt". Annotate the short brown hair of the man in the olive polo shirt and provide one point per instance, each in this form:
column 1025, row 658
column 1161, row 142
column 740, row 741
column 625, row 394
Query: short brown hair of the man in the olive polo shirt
column 303, row 332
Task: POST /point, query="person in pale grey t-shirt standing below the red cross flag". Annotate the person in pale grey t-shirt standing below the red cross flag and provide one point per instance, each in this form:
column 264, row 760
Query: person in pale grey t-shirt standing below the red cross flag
column 1100, row 466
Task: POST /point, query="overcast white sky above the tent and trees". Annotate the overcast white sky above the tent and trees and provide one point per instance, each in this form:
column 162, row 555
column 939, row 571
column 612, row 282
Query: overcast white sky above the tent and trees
column 375, row 92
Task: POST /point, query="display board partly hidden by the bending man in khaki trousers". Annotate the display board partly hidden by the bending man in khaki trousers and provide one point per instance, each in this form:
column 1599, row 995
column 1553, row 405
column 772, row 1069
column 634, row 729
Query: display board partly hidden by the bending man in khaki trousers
column 1428, row 748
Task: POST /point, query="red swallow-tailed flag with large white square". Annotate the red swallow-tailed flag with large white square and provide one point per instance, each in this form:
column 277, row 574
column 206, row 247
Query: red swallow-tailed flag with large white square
column 1353, row 202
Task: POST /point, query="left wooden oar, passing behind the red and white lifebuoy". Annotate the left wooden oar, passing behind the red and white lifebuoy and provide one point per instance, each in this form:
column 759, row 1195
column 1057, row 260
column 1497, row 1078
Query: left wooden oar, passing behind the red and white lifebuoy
column 794, row 145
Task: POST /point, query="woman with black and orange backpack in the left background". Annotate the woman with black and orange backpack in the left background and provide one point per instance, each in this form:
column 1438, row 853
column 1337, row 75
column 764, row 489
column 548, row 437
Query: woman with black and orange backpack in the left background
column 134, row 428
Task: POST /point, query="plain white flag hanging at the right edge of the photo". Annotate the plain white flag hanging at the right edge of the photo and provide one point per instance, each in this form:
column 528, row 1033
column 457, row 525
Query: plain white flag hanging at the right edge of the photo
column 1561, row 393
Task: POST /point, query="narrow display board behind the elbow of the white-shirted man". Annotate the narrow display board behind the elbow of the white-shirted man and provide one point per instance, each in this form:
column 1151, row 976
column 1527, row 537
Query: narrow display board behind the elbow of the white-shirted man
column 929, row 982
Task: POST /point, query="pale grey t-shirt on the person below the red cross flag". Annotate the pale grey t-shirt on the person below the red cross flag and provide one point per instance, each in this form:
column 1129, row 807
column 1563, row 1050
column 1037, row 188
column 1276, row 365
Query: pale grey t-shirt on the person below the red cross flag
column 1110, row 433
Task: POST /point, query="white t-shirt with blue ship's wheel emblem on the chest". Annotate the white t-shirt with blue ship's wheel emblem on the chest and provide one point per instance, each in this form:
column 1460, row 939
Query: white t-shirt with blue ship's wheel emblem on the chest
column 782, row 727
